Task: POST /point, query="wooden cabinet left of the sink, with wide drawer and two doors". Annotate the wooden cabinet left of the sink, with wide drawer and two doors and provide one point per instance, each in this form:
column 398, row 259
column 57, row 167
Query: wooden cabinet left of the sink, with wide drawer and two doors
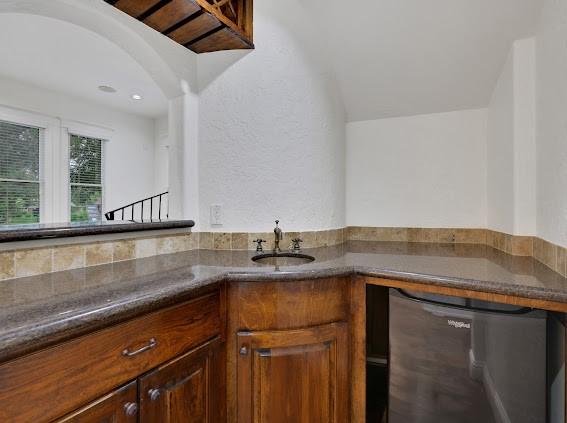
column 43, row 386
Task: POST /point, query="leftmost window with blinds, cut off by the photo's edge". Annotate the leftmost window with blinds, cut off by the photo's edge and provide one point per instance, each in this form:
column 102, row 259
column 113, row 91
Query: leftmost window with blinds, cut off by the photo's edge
column 19, row 173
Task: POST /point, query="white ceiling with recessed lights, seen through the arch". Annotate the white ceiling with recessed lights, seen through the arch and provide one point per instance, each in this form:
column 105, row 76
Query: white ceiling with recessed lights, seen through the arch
column 69, row 59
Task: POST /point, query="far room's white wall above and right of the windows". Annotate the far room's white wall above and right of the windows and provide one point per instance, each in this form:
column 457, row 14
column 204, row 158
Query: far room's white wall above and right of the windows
column 129, row 162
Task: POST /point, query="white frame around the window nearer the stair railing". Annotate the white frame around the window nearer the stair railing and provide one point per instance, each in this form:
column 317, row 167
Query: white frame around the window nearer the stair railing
column 68, row 128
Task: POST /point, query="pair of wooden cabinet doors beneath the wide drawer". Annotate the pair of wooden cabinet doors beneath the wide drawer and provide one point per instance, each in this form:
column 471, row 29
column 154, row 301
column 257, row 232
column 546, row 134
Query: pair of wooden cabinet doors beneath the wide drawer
column 187, row 389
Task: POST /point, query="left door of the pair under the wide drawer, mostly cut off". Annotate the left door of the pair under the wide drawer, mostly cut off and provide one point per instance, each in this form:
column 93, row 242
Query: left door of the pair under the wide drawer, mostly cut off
column 119, row 406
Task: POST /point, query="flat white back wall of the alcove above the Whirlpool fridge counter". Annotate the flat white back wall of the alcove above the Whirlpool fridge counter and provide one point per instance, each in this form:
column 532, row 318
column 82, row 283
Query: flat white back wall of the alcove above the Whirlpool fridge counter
column 417, row 171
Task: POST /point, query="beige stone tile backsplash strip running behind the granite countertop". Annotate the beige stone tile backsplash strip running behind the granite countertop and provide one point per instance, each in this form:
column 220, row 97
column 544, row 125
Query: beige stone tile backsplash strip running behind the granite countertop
column 34, row 261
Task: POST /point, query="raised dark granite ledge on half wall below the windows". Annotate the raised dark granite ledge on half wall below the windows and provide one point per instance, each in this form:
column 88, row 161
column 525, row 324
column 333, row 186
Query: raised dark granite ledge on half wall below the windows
column 10, row 233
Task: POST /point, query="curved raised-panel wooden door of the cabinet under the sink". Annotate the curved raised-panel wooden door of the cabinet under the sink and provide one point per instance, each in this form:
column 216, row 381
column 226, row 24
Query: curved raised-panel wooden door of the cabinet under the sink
column 297, row 376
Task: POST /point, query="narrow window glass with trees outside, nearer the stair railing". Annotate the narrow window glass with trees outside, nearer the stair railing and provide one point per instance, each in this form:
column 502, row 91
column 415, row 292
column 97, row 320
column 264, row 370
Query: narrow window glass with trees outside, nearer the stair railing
column 85, row 174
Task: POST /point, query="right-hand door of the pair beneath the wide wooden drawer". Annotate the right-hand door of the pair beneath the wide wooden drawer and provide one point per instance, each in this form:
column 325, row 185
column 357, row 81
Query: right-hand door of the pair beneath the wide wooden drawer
column 188, row 389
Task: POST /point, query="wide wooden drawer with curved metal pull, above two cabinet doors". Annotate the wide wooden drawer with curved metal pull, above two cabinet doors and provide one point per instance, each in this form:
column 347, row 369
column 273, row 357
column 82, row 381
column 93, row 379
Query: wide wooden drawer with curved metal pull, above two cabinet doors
column 50, row 383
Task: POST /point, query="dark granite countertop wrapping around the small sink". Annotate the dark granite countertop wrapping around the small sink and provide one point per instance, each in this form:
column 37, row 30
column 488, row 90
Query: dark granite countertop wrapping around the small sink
column 38, row 311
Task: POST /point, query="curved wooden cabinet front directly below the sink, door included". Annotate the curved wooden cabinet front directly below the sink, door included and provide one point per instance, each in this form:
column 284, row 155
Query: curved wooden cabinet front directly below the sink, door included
column 289, row 351
